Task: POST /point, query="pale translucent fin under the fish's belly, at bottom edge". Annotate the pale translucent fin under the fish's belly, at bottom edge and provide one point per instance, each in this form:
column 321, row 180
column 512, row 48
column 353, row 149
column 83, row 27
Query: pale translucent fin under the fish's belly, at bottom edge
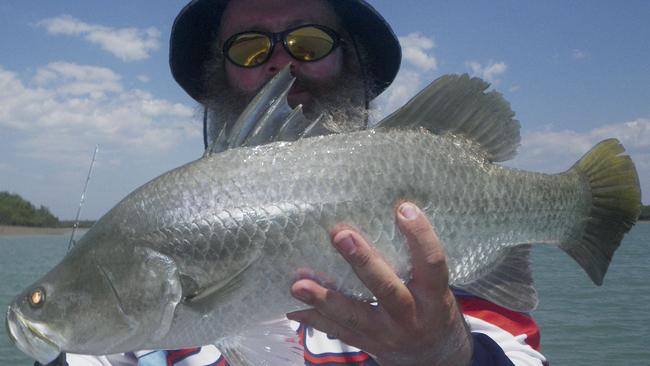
column 273, row 343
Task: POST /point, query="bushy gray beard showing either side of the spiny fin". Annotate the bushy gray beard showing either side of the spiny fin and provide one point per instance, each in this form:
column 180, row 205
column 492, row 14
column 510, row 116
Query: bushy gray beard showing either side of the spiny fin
column 341, row 103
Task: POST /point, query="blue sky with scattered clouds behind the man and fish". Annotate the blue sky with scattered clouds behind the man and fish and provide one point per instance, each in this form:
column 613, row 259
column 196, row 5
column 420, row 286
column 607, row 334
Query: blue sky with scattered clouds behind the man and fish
column 75, row 74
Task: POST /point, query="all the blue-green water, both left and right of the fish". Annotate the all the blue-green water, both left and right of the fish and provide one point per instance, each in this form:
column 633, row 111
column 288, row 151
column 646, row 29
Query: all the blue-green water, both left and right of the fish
column 581, row 324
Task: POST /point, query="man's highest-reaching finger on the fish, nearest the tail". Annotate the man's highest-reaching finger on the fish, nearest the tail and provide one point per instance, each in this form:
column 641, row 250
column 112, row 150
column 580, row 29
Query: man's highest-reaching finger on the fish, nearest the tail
column 427, row 254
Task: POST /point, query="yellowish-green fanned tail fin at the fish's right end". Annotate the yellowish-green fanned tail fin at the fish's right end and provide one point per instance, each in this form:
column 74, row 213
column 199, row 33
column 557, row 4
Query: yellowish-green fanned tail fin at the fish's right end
column 615, row 206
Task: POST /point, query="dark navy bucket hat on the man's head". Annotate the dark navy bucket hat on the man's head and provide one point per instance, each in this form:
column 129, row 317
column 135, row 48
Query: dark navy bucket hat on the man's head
column 196, row 27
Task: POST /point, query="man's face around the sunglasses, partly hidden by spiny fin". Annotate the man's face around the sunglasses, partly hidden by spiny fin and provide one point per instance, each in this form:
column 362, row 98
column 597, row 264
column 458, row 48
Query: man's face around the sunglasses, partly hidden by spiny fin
column 277, row 16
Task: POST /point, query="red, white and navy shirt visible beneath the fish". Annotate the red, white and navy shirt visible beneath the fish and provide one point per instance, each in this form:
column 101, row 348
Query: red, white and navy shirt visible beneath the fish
column 501, row 337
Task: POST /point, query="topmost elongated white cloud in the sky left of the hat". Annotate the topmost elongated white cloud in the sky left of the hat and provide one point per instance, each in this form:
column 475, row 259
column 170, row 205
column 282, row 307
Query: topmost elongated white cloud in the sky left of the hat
column 128, row 44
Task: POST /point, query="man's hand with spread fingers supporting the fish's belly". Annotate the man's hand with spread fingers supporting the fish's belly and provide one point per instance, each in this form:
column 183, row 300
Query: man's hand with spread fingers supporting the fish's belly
column 417, row 323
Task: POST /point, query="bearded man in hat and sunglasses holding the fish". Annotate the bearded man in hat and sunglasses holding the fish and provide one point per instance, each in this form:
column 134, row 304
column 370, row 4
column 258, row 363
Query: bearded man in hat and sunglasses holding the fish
column 343, row 54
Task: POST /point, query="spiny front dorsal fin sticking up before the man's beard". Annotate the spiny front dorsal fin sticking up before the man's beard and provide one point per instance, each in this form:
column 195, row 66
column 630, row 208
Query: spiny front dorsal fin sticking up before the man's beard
column 267, row 118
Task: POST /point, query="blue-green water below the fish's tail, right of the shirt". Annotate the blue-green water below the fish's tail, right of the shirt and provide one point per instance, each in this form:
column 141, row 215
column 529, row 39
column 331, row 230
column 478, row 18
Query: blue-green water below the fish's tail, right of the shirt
column 582, row 324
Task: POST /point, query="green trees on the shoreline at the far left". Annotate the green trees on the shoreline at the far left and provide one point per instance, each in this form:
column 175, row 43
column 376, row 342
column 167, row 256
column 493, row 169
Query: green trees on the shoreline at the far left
column 14, row 210
